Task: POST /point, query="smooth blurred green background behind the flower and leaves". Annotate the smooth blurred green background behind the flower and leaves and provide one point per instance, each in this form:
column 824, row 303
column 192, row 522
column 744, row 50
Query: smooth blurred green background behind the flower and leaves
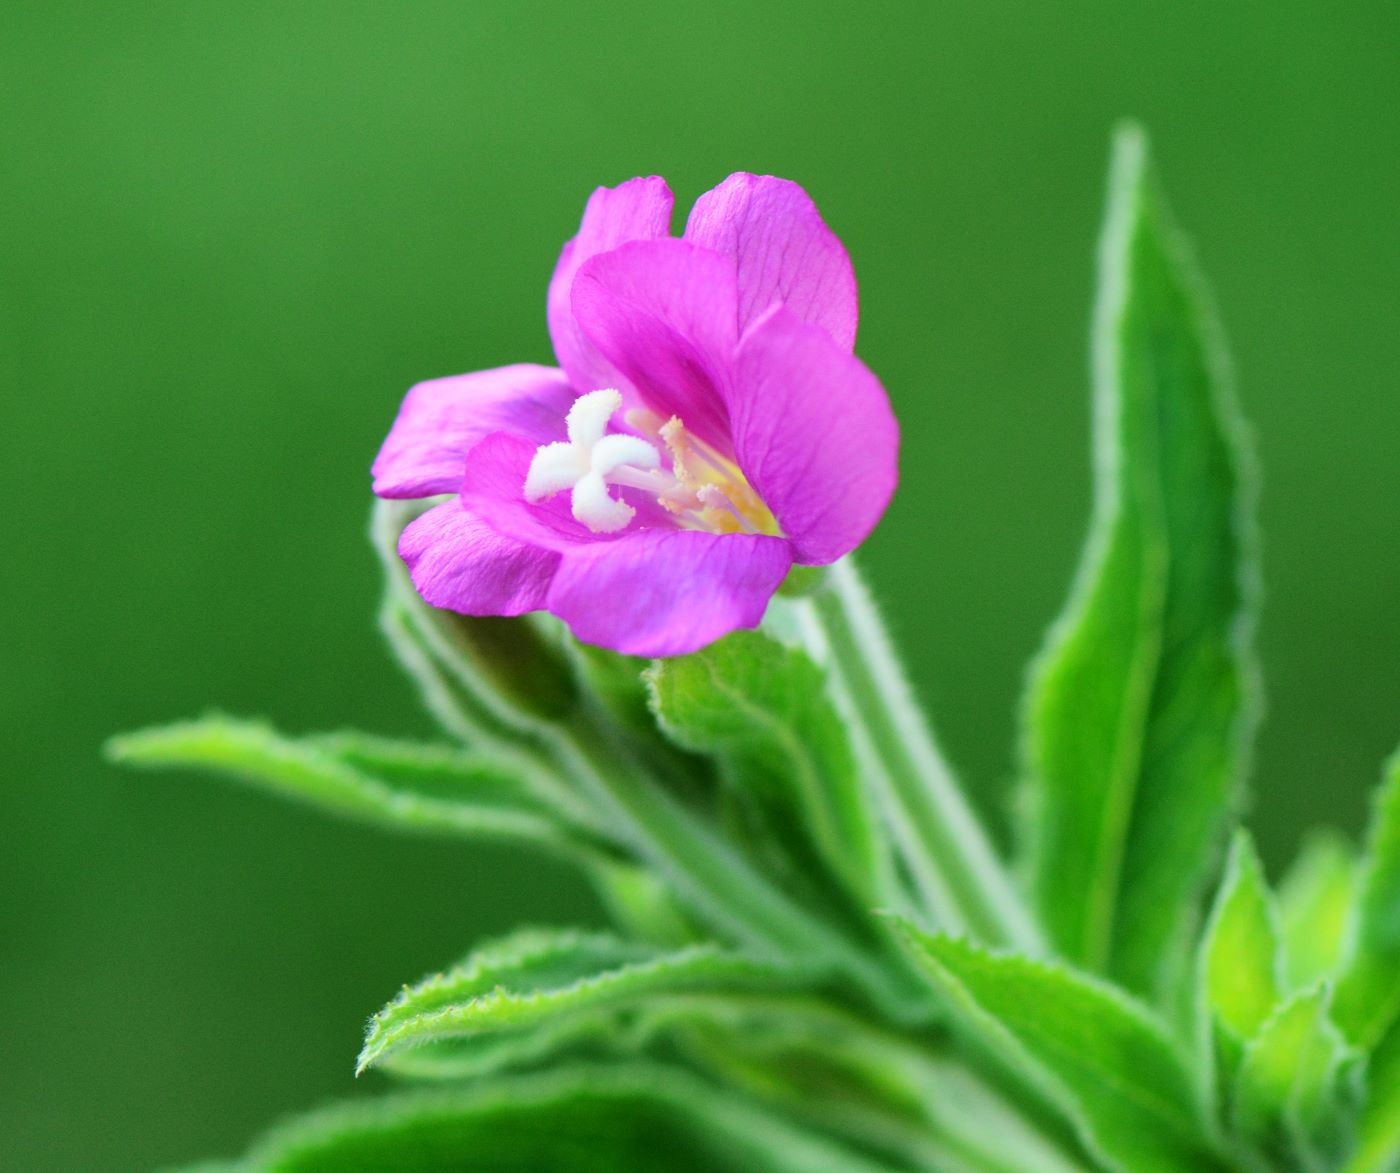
column 233, row 234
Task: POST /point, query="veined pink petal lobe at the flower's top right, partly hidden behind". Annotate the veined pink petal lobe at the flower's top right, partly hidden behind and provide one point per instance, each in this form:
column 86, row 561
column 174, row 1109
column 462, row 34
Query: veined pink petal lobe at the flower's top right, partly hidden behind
column 783, row 251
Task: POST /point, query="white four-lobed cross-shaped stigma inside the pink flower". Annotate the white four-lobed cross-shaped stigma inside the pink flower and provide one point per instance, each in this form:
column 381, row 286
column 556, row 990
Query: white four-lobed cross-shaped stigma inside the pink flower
column 590, row 461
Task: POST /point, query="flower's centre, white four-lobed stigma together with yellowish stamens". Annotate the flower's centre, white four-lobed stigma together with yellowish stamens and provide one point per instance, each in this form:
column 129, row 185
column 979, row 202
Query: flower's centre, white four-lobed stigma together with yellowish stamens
column 702, row 489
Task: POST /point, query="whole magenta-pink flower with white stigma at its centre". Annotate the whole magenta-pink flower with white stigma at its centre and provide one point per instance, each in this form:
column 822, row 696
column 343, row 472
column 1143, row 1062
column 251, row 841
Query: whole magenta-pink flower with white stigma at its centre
column 709, row 429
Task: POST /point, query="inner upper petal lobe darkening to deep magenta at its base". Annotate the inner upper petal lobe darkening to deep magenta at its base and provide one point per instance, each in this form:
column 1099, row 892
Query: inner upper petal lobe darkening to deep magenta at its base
column 664, row 313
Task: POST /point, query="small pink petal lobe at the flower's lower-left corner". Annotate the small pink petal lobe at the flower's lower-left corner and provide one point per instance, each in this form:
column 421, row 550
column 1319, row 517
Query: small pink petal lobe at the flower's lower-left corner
column 460, row 563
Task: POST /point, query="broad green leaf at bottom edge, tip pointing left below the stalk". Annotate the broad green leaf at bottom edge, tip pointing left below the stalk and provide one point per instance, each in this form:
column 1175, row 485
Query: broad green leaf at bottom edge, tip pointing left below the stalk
column 1097, row 1055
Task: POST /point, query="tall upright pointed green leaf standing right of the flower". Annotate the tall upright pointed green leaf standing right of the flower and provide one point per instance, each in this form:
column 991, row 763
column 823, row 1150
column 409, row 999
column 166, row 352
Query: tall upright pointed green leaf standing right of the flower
column 1142, row 705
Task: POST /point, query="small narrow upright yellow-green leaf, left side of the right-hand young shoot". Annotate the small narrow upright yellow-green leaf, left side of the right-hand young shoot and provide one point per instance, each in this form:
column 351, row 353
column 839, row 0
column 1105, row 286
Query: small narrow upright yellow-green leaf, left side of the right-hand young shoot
column 1241, row 951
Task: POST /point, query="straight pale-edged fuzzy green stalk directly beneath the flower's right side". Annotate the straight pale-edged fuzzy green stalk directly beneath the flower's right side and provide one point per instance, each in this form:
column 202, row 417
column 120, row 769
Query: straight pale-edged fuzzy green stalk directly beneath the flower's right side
column 955, row 869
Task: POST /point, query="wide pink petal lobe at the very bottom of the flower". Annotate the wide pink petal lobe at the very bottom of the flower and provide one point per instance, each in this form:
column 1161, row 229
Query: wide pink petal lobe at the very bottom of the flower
column 659, row 593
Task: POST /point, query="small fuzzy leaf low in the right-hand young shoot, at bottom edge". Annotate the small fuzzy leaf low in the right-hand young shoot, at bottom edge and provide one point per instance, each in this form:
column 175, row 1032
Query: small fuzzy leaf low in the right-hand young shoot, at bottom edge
column 1298, row 1088
